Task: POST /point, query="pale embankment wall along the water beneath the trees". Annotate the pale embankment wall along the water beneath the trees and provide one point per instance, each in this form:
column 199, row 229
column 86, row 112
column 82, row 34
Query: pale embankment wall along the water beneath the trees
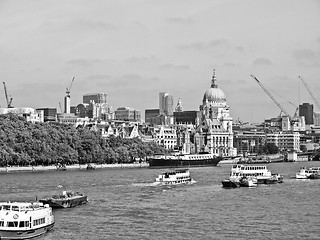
column 71, row 167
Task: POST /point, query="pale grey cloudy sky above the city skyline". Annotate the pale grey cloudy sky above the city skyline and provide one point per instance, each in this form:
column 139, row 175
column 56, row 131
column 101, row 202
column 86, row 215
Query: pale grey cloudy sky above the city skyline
column 134, row 49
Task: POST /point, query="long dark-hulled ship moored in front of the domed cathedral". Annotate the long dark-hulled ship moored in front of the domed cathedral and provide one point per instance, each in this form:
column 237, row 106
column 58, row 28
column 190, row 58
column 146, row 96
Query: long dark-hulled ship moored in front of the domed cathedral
column 189, row 160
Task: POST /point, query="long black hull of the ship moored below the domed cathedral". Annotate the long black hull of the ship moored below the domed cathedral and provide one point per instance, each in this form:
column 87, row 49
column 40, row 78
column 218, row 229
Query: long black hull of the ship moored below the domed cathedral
column 163, row 162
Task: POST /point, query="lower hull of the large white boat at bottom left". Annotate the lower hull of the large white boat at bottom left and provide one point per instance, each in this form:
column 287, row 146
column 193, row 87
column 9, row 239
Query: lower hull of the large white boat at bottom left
column 25, row 234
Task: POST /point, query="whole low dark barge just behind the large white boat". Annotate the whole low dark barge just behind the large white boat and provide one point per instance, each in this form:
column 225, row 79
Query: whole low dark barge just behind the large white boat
column 67, row 199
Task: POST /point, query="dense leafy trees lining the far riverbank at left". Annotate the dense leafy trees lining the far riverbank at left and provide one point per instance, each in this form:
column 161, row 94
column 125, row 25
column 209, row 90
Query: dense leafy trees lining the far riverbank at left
column 23, row 143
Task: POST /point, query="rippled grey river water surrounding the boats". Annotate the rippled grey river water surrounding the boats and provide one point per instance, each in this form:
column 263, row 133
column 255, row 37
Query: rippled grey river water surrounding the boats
column 125, row 204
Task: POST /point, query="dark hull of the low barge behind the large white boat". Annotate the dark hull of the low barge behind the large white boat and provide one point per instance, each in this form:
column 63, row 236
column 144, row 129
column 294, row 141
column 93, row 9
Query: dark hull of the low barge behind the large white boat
column 65, row 203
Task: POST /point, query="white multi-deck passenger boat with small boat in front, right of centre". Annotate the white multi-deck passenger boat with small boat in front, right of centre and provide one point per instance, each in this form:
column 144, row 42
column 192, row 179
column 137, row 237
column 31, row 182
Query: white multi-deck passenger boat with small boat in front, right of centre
column 261, row 173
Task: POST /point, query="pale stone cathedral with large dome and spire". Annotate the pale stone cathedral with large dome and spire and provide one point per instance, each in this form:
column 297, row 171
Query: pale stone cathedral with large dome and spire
column 214, row 125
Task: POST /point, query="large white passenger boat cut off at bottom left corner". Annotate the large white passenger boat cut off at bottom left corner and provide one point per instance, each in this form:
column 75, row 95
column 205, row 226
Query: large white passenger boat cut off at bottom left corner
column 19, row 220
